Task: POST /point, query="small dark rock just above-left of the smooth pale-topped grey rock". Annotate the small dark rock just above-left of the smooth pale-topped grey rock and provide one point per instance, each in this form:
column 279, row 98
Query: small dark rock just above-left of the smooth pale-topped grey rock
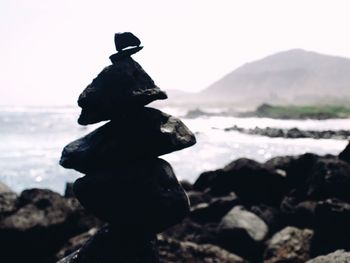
column 214, row 210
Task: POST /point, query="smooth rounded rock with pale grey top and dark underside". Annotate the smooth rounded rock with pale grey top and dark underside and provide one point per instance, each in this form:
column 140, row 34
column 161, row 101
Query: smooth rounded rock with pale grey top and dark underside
column 243, row 232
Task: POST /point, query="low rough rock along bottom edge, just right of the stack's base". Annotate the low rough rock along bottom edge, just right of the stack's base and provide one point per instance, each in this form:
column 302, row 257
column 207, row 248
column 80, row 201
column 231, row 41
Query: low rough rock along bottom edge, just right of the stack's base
column 173, row 251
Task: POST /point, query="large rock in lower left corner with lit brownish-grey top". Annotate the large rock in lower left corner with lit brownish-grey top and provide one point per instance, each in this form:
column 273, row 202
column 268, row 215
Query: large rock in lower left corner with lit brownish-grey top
column 37, row 229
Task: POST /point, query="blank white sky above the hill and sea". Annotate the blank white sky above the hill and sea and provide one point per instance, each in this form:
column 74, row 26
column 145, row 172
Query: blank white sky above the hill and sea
column 50, row 50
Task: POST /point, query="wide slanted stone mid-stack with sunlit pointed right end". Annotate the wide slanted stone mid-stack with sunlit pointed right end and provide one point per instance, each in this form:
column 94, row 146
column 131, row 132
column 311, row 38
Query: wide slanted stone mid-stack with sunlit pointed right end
column 141, row 134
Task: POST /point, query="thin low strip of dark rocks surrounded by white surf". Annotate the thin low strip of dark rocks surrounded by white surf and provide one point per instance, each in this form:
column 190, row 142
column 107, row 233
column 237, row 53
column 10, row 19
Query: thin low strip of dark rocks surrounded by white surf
column 293, row 133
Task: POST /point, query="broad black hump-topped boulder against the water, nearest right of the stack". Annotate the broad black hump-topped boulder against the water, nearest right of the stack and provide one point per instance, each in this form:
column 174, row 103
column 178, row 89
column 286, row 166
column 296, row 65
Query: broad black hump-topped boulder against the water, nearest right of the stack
column 250, row 180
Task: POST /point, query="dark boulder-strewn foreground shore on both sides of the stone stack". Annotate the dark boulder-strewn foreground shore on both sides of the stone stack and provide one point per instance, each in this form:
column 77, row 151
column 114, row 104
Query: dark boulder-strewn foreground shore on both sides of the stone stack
column 288, row 209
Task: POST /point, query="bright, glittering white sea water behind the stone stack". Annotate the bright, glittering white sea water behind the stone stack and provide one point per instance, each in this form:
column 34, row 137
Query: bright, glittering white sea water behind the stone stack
column 32, row 139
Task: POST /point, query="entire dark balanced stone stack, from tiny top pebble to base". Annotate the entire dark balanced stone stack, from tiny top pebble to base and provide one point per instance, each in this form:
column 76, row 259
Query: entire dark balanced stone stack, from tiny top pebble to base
column 125, row 182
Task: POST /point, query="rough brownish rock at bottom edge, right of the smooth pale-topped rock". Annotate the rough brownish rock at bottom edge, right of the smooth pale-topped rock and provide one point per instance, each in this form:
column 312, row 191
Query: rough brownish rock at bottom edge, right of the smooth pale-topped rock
column 289, row 245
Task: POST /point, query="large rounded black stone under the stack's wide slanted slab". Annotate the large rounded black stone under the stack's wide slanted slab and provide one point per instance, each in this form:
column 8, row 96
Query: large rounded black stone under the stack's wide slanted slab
column 143, row 194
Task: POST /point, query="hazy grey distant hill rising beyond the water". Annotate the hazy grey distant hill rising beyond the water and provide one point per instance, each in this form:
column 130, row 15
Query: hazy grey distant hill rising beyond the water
column 291, row 77
